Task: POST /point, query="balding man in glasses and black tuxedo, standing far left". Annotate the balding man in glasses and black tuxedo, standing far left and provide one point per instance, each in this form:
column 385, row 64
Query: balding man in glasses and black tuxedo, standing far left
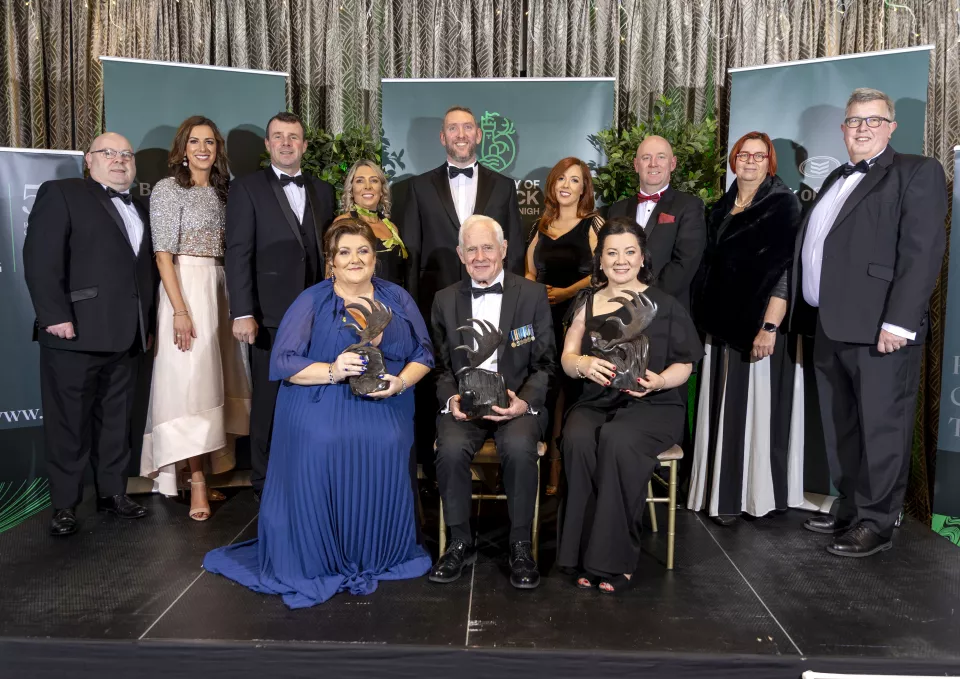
column 88, row 263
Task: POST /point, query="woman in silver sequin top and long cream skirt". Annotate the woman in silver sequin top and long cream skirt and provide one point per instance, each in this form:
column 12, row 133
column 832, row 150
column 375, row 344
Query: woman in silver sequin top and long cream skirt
column 200, row 394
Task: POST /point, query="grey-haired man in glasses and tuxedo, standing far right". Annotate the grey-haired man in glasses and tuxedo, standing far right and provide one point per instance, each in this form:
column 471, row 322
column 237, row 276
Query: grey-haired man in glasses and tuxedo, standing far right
column 868, row 256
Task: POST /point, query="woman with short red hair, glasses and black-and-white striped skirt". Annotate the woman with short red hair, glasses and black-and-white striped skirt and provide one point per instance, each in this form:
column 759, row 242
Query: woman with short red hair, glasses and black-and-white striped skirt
column 748, row 451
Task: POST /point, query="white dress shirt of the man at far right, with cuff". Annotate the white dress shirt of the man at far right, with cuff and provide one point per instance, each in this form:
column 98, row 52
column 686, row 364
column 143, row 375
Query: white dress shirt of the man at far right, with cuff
column 819, row 227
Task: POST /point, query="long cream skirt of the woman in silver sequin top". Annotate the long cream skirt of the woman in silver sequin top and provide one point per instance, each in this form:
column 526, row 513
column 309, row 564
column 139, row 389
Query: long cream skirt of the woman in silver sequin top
column 199, row 399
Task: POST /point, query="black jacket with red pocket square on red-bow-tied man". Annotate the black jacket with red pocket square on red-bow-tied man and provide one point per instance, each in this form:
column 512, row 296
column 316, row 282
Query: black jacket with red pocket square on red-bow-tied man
column 675, row 247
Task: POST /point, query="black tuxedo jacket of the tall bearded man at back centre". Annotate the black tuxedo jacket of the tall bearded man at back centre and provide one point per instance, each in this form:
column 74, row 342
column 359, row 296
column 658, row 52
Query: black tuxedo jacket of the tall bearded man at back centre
column 431, row 227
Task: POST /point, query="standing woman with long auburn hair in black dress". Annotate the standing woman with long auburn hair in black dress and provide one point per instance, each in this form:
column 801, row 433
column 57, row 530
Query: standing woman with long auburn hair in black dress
column 560, row 256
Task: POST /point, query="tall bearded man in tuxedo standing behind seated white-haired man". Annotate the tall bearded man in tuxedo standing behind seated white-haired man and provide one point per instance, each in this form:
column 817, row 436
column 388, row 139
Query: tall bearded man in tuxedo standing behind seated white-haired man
column 439, row 201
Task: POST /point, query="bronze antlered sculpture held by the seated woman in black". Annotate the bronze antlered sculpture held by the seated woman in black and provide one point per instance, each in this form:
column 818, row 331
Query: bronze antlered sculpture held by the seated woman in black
column 630, row 352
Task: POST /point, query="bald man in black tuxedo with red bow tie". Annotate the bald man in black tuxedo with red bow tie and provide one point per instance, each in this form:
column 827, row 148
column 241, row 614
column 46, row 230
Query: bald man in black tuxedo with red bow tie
column 674, row 221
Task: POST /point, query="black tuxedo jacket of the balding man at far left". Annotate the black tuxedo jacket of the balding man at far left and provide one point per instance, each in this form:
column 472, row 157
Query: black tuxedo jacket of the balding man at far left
column 80, row 268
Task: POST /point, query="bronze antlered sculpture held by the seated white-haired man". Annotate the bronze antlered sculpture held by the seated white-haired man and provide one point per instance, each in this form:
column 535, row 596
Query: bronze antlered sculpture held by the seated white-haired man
column 479, row 388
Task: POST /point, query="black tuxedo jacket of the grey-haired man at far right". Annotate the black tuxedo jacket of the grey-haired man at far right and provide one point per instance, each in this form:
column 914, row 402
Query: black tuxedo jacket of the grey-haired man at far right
column 883, row 254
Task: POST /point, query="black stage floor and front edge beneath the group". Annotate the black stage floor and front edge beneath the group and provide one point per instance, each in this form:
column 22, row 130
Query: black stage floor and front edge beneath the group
column 759, row 599
